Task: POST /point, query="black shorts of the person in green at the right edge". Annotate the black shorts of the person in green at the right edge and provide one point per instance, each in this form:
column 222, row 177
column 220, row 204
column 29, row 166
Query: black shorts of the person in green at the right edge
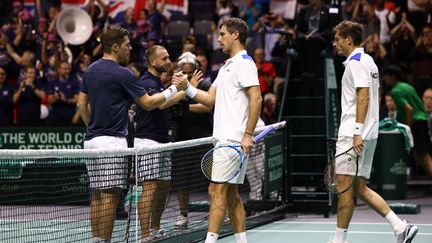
column 422, row 143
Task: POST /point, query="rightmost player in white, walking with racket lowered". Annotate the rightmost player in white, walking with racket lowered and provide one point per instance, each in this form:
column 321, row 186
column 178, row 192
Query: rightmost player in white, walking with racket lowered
column 360, row 102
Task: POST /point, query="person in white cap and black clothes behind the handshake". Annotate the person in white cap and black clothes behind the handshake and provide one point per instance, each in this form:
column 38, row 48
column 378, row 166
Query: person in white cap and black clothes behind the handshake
column 192, row 121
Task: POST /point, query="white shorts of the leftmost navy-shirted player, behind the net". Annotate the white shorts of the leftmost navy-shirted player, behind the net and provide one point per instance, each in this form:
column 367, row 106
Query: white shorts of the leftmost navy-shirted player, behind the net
column 106, row 173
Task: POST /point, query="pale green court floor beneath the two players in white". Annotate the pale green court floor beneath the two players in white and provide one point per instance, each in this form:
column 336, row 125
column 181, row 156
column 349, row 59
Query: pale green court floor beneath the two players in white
column 366, row 225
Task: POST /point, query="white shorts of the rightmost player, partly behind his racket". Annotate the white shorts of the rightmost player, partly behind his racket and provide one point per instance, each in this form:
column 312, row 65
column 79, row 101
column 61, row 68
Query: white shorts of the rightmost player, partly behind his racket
column 365, row 160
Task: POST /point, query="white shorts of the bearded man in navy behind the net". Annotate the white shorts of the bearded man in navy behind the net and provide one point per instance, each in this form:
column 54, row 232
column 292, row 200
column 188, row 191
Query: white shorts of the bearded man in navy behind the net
column 152, row 166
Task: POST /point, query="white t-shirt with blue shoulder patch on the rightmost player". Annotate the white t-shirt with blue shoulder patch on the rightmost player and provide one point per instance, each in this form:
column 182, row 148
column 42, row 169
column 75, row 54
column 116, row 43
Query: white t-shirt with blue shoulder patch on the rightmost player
column 360, row 71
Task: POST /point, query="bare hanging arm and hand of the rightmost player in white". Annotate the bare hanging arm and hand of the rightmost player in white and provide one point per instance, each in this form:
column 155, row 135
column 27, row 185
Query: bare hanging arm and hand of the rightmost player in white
column 362, row 107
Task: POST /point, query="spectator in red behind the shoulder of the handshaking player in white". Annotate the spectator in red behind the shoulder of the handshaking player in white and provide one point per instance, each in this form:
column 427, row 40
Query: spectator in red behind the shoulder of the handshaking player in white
column 266, row 71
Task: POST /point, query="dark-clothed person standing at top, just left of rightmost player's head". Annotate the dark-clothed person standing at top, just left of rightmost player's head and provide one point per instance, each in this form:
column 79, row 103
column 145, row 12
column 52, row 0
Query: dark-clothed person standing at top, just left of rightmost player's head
column 314, row 25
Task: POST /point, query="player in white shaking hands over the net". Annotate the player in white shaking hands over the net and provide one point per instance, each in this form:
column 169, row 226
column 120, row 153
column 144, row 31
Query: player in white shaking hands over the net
column 236, row 97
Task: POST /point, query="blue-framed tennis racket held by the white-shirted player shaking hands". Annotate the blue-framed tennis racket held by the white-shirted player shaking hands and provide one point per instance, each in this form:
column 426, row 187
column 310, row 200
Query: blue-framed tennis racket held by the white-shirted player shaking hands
column 222, row 163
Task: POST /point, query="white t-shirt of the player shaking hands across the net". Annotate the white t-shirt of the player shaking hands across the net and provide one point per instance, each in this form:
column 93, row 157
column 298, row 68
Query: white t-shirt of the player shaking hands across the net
column 232, row 103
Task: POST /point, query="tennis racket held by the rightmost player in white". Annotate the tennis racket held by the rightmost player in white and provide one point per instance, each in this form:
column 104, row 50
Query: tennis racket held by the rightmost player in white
column 348, row 161
